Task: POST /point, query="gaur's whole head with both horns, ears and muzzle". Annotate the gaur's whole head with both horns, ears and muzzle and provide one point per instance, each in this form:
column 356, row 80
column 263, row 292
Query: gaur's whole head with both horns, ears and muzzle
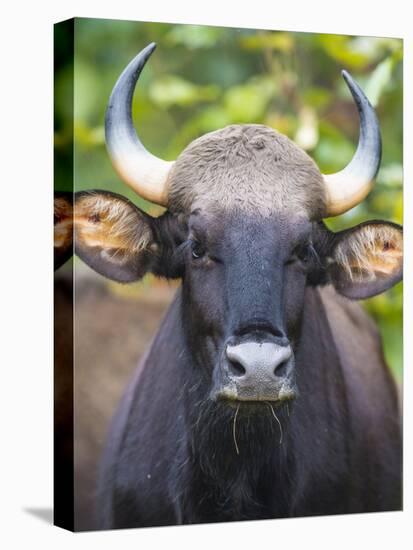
column 244, row 231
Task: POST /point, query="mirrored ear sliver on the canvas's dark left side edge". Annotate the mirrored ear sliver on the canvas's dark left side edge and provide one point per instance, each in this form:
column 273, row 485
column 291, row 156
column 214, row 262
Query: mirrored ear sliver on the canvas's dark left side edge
column 63, row 228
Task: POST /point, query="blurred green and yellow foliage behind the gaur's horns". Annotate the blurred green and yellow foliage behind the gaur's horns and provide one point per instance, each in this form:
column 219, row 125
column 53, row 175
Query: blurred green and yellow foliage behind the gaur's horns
column 203, row 78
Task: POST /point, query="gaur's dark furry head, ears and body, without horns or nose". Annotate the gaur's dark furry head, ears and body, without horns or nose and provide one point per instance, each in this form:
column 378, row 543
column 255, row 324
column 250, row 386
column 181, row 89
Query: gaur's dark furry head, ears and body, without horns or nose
column 243, row 232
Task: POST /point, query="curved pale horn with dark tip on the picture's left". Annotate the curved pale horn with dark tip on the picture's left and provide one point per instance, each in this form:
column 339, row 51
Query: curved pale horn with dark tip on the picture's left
column 145, row 173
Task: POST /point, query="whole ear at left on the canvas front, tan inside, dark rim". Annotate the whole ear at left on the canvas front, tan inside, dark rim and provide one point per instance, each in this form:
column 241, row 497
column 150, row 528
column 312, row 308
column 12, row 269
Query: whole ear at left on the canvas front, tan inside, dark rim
column 113, row 236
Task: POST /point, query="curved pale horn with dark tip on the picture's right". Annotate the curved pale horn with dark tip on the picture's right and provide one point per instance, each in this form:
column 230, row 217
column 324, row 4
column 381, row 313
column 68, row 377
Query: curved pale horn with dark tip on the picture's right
column 351, row 185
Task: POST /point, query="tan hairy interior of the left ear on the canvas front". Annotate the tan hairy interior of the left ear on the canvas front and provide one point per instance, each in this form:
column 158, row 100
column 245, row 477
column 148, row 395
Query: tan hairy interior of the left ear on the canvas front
column 109, row 223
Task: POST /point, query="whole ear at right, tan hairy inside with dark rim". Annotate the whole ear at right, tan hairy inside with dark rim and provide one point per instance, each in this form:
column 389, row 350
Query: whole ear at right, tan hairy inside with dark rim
column 367, row 259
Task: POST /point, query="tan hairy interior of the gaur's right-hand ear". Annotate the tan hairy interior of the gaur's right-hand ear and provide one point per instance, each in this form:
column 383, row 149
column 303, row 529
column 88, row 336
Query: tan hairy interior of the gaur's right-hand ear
column 373, row 251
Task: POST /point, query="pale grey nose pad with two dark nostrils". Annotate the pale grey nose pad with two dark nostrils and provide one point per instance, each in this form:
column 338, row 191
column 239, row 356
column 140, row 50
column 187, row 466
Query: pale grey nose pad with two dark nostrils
column 259, row 358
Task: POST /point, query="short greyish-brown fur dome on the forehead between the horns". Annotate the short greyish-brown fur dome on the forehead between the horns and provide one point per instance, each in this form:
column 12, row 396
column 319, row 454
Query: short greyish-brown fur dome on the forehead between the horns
column 250, row 167
